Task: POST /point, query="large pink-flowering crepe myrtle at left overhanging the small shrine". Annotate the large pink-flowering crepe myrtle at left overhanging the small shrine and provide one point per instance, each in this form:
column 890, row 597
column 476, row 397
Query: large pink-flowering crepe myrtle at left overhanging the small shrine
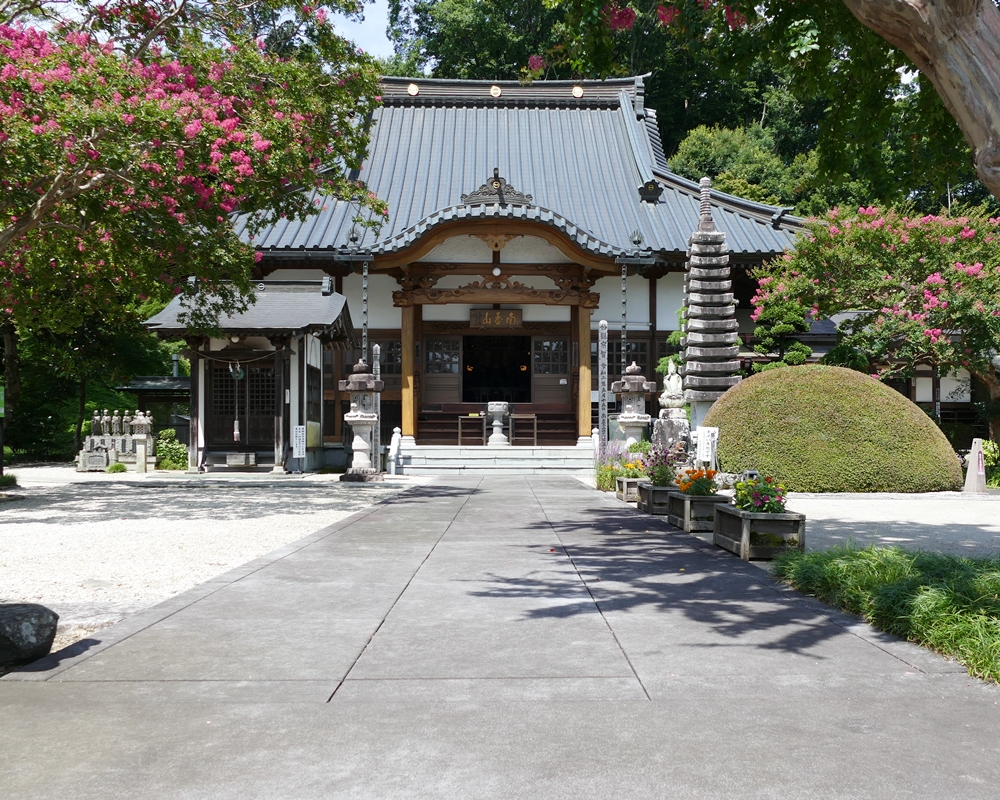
column 132, row 132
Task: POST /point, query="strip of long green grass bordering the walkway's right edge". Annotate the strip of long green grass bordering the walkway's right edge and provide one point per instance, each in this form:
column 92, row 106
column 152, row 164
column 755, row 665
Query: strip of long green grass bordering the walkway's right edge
column 947, row 603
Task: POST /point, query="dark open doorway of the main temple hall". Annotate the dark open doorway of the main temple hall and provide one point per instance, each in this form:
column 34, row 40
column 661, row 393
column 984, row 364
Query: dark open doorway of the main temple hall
column 496, row 368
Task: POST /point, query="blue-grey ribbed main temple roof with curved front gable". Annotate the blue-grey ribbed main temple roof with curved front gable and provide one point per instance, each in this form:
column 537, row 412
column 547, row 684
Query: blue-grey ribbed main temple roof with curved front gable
column 581, row 158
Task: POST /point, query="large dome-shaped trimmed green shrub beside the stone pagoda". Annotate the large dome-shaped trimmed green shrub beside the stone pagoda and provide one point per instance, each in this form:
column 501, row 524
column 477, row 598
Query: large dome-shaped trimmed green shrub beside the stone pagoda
column 830, row 429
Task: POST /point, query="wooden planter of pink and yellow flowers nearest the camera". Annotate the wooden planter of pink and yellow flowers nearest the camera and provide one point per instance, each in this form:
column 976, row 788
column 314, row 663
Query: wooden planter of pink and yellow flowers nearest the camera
column 758, row 526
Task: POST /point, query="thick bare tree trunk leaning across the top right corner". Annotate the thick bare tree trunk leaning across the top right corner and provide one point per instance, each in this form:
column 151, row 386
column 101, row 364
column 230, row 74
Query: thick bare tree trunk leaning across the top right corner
column 956, row 44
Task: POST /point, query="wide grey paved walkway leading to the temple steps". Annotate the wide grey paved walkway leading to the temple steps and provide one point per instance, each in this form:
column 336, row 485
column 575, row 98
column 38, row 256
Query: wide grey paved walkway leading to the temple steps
column 498, row 638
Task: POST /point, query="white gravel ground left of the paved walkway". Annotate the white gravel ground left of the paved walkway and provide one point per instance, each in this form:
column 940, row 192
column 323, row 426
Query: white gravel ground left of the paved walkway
column 96, row 547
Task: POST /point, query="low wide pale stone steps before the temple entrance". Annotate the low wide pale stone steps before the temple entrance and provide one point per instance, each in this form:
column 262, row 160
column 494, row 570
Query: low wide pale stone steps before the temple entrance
column 464, row 460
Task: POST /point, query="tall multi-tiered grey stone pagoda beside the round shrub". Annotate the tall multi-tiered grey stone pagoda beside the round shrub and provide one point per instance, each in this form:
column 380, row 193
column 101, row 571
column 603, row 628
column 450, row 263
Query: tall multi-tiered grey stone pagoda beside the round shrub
column 710, row 352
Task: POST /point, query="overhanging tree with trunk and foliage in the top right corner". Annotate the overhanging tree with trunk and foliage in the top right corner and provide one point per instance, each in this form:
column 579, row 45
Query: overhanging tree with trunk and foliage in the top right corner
column 856, row 53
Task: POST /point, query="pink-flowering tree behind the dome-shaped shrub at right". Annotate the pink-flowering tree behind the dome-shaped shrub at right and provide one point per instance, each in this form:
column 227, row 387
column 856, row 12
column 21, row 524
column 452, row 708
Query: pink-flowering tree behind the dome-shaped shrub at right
column 925, row 290
